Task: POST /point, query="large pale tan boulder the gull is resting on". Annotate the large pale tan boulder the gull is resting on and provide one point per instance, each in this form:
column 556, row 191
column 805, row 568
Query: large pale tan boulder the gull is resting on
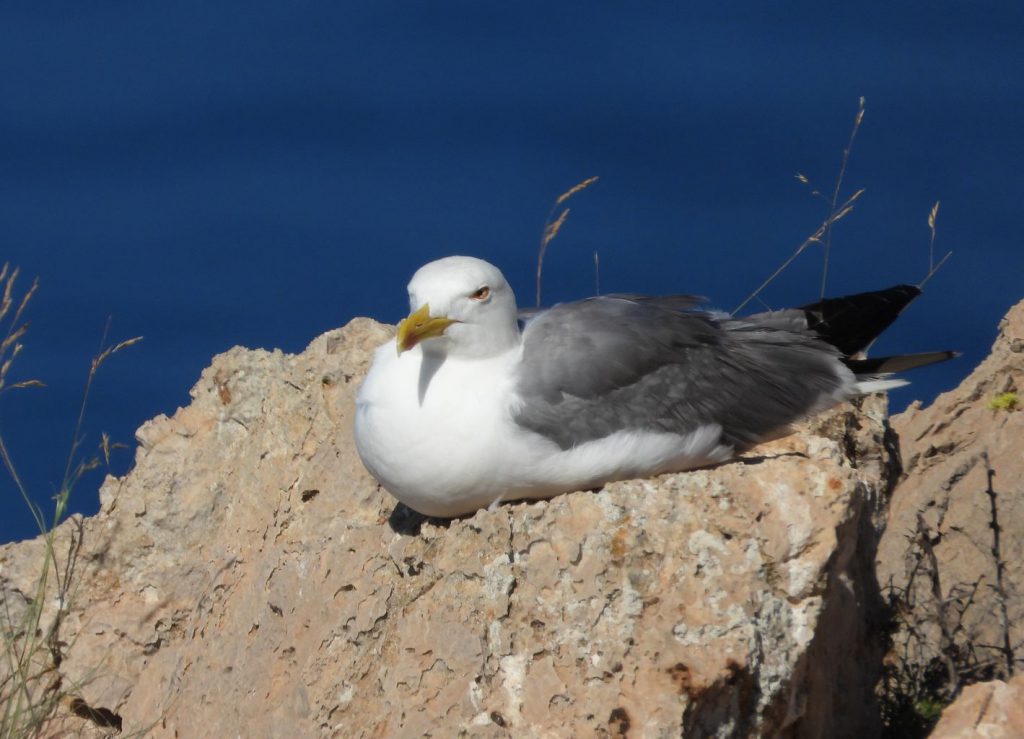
column 249, row 577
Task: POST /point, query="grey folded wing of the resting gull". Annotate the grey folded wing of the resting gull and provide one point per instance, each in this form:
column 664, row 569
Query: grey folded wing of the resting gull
column 605, row 365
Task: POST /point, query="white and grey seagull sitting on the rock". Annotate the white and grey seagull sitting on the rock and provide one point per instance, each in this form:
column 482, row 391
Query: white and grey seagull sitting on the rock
column 474, row 404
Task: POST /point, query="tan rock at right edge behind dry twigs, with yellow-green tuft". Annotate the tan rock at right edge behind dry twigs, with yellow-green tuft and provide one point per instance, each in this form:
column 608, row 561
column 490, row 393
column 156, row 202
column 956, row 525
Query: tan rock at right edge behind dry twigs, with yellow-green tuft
column 948, row 483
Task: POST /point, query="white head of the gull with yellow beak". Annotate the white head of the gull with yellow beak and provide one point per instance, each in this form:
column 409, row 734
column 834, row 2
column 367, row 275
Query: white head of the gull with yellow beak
column 460, row 306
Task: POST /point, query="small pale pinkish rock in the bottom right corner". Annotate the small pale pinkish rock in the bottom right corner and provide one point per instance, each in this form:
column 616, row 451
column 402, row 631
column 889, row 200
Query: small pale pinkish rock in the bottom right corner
column 992, row 711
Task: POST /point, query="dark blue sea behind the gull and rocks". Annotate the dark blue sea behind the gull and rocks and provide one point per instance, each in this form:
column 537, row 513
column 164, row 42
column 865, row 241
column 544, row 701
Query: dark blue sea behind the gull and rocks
column 212, row 175
